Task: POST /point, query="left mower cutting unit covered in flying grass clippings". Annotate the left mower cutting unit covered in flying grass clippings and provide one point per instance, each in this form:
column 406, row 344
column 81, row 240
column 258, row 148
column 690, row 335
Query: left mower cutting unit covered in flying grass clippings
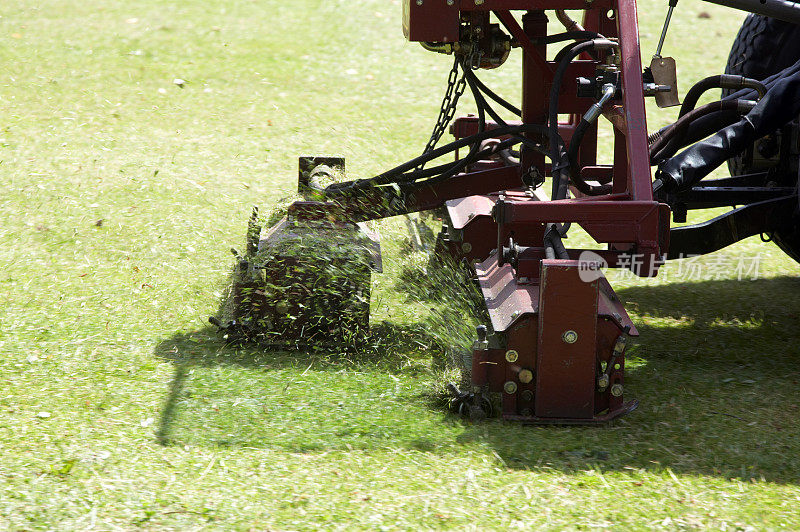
column 302, row 282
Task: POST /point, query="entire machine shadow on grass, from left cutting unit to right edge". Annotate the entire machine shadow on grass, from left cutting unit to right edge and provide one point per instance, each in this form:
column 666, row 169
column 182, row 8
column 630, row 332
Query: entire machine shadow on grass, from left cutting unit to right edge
column 716, row 371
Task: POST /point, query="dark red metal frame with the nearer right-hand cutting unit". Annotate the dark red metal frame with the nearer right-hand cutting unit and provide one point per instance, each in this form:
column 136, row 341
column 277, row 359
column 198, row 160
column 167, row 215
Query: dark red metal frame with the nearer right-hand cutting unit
column 556, row 350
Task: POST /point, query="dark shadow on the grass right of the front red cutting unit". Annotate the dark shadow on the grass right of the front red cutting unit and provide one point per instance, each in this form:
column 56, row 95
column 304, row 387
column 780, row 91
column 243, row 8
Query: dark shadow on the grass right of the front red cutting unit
column 716, row 371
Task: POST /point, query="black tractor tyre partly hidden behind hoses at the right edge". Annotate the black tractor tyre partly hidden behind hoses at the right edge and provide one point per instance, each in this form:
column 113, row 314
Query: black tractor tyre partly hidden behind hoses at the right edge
column 765, row 46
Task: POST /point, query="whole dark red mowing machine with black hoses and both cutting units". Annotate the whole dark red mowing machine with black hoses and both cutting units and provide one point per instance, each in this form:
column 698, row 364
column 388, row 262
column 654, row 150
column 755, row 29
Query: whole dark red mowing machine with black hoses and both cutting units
column 553, row 346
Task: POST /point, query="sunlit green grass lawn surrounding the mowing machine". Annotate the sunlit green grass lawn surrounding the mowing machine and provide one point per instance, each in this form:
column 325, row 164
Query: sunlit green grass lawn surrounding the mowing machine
column 122, row 192
